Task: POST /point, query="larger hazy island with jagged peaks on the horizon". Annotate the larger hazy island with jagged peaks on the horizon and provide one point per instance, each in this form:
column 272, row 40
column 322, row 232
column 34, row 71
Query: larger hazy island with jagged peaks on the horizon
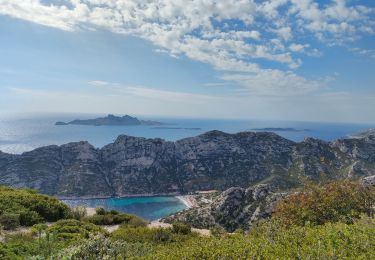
column 111, row 120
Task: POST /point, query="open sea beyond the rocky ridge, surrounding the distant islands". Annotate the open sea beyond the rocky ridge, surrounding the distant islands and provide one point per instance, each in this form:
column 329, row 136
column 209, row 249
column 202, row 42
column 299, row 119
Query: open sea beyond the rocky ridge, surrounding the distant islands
column 20, row 134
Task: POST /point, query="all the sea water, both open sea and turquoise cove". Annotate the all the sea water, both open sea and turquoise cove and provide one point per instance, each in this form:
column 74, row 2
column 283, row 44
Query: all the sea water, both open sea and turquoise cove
column 22, row 133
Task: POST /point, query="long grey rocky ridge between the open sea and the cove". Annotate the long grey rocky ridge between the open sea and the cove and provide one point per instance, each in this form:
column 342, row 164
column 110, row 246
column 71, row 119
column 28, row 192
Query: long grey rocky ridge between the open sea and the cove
column 214, row 160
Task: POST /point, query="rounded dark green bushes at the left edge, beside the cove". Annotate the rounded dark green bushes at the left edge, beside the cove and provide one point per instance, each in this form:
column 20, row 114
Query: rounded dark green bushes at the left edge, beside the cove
column 27, row 207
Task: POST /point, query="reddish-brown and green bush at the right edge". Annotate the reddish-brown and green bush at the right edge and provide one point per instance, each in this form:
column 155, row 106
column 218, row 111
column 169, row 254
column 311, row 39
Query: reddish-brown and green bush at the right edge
column 340, row 201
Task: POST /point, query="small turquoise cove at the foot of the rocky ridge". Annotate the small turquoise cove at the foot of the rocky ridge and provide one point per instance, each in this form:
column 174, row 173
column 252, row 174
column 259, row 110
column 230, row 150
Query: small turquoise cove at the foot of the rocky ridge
column 150, row 208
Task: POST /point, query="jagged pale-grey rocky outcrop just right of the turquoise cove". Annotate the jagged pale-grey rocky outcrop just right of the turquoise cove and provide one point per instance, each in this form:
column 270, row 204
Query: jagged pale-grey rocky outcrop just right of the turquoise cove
column 235, row 208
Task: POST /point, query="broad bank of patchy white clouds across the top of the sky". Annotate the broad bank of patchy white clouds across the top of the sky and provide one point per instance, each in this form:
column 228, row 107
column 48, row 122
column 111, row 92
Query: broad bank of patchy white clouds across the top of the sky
column 230, row 35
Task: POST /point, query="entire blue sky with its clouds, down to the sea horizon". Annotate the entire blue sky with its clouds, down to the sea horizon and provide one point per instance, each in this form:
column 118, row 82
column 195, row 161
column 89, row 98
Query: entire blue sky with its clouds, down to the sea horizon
column 282, row 59
